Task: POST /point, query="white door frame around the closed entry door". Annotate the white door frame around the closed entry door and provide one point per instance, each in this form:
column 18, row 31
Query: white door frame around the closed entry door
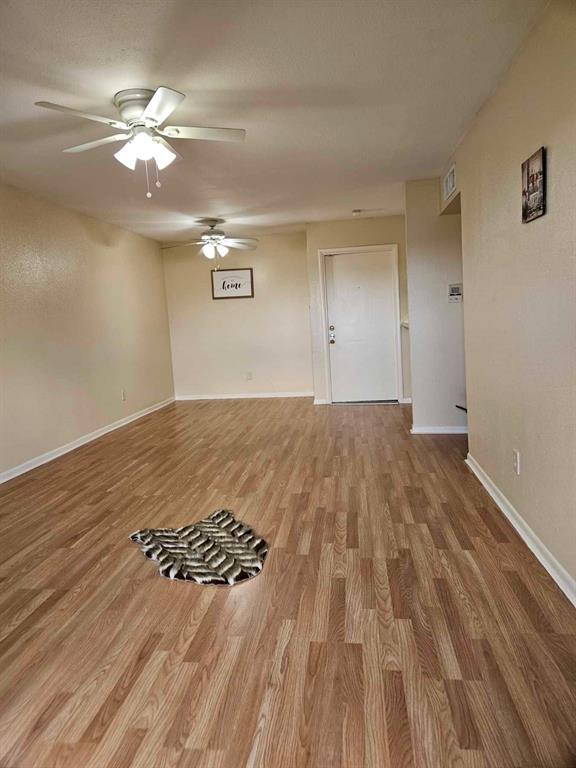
column 390, row 248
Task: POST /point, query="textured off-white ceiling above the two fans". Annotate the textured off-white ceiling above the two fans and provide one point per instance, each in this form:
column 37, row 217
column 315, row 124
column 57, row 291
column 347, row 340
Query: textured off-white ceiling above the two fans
column 342, row 100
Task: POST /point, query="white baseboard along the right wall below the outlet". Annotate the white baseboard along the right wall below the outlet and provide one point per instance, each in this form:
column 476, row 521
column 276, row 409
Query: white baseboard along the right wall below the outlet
column 560, row 575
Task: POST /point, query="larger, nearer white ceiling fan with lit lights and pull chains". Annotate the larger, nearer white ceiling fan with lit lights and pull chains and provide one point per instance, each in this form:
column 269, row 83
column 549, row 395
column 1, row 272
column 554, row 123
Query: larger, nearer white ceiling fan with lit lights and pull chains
column 142, row 112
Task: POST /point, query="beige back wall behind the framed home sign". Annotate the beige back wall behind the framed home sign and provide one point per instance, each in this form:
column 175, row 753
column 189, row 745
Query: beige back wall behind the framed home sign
column 216, row 345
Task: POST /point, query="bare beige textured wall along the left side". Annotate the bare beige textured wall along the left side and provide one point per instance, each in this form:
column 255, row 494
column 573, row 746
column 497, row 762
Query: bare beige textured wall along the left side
column 82, row 315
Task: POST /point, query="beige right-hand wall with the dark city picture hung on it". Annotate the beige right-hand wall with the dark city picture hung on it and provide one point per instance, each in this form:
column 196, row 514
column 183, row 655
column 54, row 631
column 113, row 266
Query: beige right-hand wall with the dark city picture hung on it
column 520, row 284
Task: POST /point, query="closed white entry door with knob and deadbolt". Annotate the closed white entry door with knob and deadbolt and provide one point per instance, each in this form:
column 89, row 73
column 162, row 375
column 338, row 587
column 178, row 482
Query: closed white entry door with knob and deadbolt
column 362, row 297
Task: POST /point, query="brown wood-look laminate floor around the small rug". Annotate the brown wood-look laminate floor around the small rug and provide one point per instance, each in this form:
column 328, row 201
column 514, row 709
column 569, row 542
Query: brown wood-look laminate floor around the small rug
column 399, row 620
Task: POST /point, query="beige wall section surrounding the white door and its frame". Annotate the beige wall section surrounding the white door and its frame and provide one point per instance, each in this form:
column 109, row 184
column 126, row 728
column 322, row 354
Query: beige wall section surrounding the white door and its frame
column 344, row 234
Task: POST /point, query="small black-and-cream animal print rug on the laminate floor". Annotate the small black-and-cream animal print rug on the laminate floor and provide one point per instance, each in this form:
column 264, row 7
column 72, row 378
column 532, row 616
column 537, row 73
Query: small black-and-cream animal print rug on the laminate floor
column 216, row 550
